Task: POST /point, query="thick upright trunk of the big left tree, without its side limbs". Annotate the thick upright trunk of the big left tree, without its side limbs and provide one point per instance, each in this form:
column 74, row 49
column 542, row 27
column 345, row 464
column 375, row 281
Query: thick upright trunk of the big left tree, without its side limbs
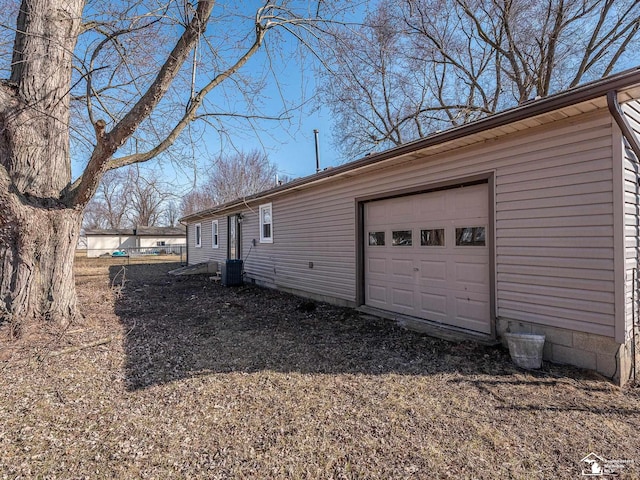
column 38, row 231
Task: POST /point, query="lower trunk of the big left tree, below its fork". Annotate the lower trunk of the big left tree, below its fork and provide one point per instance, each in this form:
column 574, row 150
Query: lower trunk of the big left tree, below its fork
column 37, row 248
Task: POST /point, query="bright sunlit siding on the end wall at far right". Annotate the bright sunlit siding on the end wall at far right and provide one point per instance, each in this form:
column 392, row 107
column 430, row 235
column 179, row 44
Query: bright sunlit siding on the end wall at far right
column 631, row 217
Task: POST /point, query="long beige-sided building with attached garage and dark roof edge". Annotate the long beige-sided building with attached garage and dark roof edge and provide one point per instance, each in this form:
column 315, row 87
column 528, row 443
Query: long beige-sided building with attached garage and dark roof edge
column 525, row 221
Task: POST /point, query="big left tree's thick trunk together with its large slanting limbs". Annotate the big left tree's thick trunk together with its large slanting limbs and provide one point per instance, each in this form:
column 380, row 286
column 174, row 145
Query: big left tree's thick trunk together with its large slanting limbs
column 40, row 209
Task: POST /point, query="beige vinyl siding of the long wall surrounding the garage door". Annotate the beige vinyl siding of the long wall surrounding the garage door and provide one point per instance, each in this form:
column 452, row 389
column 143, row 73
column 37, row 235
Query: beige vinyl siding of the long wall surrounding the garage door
column 553, row 223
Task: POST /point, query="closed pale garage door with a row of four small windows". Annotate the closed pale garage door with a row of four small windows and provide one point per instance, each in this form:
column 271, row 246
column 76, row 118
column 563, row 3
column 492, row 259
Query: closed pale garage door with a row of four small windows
column 427, row 256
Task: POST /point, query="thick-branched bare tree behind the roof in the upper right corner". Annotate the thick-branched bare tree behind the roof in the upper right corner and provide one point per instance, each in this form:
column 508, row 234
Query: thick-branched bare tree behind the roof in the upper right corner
column 552, row 44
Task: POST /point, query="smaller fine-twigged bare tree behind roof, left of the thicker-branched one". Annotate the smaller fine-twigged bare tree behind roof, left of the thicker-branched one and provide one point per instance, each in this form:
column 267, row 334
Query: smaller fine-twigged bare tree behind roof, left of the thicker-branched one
column 370, row 87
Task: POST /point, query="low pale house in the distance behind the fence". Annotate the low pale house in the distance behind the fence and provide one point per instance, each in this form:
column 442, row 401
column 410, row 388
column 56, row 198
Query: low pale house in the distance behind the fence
column 101, row 241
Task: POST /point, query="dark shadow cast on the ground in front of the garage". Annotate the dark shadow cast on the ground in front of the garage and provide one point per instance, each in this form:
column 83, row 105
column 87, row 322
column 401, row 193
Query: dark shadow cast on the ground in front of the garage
column 182, row 327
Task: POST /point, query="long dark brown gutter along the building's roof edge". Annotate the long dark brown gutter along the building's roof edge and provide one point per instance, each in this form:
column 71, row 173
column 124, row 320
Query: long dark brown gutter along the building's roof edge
column 587, row 92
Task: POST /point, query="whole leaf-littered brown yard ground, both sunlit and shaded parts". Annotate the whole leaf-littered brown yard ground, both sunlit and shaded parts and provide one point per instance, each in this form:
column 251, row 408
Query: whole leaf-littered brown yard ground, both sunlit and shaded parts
column 183, row 378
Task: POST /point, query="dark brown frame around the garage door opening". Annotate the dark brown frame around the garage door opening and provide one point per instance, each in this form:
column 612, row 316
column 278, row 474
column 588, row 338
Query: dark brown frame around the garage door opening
column 487, row 177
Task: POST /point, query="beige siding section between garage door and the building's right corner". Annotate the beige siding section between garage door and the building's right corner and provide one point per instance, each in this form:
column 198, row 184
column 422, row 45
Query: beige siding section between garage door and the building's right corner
column 554, row 236
